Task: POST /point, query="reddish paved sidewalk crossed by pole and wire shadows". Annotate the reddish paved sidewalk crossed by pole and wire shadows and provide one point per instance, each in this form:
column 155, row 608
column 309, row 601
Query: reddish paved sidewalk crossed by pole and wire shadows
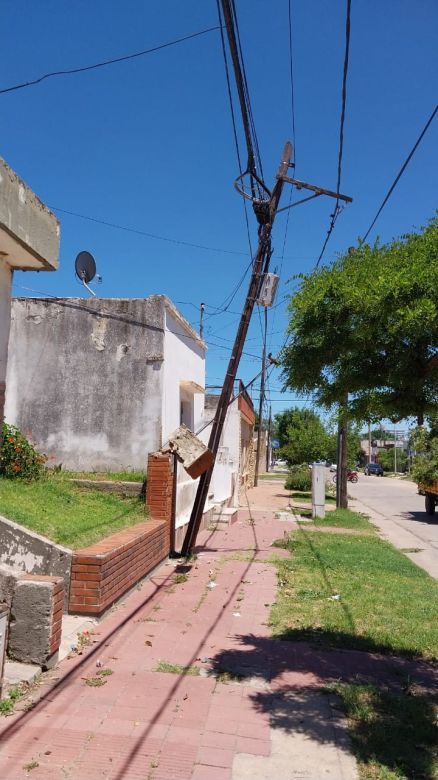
column 237, row 719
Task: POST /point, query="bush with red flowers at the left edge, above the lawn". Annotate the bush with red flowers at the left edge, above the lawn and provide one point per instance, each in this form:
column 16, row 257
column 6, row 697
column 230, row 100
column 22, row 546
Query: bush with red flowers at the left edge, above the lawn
column 19, row 458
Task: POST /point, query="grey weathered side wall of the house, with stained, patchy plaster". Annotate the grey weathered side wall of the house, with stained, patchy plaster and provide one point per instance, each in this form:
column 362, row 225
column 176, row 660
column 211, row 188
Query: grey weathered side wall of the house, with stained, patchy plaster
column 85, row 376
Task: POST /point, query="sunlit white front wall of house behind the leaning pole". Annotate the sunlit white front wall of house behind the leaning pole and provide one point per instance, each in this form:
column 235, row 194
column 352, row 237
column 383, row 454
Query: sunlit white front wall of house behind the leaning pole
column 184, row 362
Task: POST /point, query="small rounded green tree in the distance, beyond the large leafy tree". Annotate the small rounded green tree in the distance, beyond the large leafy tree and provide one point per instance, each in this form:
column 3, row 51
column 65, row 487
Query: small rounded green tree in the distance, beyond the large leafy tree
column 302, row 436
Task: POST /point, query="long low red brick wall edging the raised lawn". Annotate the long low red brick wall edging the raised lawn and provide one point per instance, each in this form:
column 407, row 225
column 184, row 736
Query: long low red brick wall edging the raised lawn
column 102, row 573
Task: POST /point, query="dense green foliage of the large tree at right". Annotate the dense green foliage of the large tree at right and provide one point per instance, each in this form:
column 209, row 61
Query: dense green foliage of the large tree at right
column 368, row 325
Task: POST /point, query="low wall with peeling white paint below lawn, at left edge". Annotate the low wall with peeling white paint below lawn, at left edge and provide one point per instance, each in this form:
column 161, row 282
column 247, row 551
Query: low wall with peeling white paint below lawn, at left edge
column 29, row 553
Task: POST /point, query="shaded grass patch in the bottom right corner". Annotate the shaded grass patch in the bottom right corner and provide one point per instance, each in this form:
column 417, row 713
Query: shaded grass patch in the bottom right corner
column 394, row 736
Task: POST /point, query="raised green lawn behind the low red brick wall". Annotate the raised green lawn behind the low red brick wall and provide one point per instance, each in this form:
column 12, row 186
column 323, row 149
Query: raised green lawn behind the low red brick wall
column 65, row 513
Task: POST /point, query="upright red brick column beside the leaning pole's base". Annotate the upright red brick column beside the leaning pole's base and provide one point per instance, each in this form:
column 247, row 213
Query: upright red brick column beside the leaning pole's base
column 160, row 489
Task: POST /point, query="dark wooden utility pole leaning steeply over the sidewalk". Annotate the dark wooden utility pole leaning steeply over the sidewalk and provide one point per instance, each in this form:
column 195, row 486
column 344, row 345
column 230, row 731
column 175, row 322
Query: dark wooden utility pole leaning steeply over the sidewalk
column 263, row 250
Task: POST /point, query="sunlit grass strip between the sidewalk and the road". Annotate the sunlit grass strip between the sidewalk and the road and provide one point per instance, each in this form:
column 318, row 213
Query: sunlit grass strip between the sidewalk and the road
column 385, row 604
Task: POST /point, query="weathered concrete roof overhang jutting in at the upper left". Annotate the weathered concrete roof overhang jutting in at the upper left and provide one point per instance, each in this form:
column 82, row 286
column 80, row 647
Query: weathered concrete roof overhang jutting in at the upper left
column 29, row 231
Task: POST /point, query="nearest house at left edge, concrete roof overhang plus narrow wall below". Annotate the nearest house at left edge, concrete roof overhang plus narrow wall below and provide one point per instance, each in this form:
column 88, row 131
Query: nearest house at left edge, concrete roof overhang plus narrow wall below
column 29, row 241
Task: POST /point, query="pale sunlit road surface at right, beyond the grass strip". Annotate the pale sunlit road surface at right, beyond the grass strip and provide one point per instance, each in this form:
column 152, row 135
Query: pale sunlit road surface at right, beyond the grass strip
column 396, row 508
